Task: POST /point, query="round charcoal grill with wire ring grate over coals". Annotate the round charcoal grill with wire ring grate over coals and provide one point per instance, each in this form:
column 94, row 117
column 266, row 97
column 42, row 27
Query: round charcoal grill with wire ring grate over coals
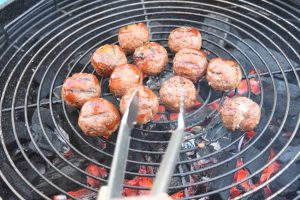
column 55, row 39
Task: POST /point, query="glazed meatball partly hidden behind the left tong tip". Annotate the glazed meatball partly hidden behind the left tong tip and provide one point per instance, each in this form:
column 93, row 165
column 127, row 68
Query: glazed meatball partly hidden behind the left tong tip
column 148, row 104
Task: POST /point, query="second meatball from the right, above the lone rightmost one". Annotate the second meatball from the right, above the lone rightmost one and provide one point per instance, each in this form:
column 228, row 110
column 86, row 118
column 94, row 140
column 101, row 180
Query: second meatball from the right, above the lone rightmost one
column 223, row 74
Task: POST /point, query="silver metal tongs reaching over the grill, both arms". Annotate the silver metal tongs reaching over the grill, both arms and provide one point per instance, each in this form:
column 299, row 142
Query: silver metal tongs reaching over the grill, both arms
column 117, row 173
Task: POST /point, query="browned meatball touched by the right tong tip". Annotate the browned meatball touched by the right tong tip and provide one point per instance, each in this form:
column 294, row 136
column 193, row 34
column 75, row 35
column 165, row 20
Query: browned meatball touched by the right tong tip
column 171, row 90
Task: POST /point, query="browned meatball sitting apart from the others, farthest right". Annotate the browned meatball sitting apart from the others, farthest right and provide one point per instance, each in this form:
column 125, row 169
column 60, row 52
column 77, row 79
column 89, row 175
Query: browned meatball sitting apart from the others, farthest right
column 240, row 113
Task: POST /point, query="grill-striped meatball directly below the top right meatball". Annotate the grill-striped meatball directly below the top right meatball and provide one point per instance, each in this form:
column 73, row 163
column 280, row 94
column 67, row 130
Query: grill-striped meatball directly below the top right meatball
column 190, row 63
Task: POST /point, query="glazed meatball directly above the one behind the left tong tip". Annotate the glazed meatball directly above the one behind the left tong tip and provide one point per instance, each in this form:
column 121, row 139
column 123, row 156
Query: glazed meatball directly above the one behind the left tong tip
column 123, row 78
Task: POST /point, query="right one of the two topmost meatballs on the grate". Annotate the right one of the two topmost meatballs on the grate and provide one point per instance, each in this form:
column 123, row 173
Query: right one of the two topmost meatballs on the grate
column 184, row 37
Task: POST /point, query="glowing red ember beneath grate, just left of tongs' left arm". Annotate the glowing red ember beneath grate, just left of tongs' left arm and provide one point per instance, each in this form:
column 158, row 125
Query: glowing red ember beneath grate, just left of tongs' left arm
column 95, row 171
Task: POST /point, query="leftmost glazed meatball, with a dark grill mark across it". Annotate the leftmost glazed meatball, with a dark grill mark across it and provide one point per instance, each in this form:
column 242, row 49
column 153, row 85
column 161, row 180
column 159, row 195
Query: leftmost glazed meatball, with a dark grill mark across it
column 79, row 88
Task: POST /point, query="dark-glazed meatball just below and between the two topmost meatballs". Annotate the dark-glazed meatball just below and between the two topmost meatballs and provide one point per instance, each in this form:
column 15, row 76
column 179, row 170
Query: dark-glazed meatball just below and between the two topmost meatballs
column 151, row 58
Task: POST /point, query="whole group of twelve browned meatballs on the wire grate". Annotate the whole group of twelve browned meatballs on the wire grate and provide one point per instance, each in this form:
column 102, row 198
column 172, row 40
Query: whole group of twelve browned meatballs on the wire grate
column 100, row 117
